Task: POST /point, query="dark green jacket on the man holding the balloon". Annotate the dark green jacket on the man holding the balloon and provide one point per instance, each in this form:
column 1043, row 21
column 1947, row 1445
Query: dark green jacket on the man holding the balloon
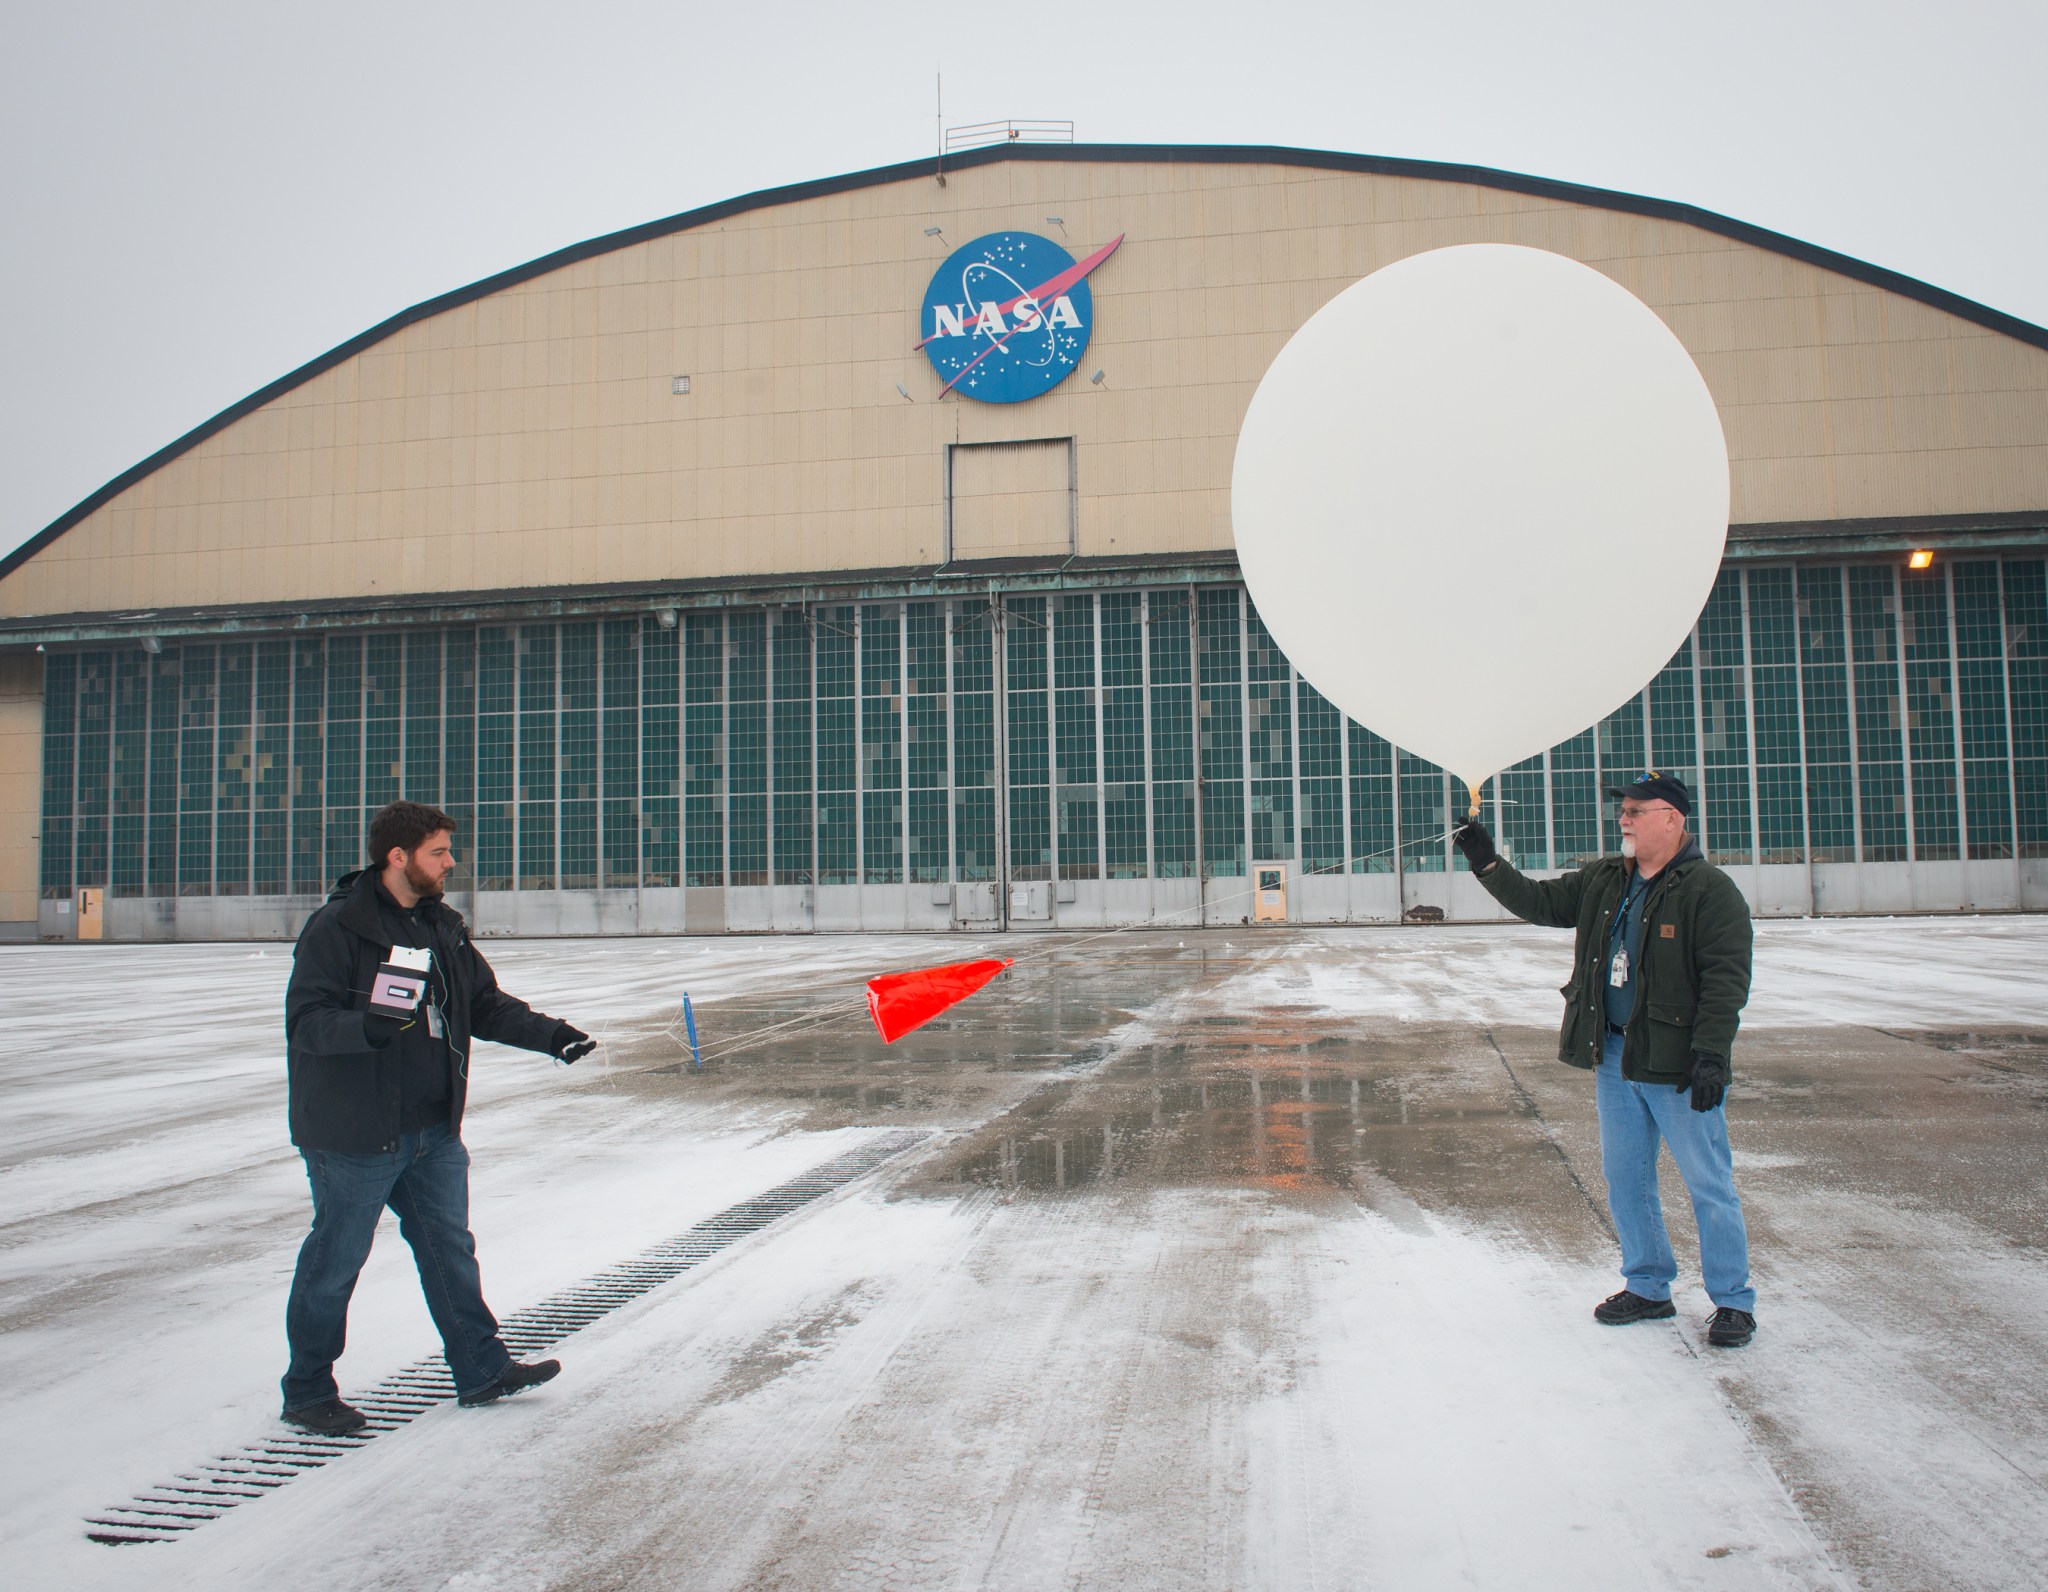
column 1695, row 974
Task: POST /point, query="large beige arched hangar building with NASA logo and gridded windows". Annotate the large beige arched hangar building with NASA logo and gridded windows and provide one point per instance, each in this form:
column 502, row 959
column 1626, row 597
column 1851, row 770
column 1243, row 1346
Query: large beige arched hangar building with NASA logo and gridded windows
column 712, row 575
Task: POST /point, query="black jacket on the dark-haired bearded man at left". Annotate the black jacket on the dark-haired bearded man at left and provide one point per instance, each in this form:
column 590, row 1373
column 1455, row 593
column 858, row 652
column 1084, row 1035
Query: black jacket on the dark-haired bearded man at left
column 345, row 1093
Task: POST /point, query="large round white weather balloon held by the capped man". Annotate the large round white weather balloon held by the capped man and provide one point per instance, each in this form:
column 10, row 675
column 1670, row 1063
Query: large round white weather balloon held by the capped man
column 1480, row 501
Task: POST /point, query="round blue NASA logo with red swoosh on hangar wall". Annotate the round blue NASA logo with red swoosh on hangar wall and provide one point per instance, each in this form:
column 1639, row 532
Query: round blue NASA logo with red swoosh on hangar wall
column 1009, row 317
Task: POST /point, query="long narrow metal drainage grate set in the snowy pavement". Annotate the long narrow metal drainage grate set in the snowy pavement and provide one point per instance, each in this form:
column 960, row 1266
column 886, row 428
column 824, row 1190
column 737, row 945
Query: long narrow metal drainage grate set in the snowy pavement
column 165, row 1513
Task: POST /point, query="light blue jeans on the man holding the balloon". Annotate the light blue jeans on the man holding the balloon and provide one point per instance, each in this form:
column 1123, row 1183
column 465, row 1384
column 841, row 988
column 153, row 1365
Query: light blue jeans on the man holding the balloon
column 1633, row 1120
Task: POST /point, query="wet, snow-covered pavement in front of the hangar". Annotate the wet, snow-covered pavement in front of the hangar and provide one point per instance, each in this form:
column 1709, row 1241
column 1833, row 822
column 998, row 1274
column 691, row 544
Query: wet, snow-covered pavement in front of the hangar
column 1234, row 1261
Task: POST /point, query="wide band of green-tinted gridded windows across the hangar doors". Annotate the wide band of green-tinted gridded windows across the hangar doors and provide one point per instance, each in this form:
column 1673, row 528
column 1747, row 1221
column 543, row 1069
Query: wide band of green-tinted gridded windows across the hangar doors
column 1842, row 714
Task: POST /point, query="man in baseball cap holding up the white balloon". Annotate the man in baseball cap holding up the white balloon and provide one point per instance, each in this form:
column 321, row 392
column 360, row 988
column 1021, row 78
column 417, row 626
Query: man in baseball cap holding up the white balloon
column 1658, row 987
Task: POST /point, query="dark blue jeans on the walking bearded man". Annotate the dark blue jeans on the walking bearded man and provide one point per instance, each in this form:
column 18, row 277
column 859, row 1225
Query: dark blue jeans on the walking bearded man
column 427, row 1185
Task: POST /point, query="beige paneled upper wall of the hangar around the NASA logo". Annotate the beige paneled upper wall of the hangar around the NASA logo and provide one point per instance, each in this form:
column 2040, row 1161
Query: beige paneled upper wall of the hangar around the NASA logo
column 525, row 433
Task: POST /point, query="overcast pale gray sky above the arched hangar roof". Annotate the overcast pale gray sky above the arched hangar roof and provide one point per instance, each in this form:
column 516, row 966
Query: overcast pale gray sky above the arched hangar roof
column 200, row 198
